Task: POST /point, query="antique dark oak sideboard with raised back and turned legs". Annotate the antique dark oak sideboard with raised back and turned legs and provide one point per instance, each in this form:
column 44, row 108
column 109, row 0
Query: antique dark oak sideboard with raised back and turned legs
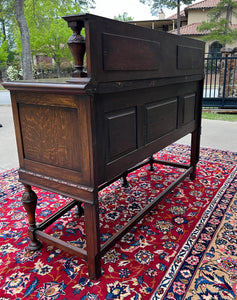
column 141, row 91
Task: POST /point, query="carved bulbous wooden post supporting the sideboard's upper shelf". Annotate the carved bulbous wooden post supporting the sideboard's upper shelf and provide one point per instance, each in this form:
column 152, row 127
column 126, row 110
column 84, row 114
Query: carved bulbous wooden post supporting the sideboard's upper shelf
column 77, row 46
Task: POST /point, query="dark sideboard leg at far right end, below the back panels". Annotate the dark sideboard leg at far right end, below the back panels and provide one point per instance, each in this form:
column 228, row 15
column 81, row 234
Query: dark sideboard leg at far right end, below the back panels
column 195, row 148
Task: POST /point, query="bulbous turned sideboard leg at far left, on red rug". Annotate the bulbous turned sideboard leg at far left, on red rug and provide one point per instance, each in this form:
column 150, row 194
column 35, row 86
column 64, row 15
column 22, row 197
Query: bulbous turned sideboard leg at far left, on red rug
column 29, row 201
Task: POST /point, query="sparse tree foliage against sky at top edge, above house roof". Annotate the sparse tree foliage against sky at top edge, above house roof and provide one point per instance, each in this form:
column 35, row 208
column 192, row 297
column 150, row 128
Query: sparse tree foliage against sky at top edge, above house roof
column 156, row 5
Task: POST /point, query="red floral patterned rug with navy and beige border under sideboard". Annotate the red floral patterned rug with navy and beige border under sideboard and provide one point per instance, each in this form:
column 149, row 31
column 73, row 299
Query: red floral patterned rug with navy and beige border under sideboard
column 186, row 248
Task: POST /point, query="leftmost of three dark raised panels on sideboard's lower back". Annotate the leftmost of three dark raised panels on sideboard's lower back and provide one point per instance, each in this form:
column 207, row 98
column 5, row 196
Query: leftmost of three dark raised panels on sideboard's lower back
column 121, row 133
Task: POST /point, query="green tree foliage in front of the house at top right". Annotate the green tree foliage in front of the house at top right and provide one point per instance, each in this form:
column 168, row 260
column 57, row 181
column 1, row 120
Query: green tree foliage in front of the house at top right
column 218, row 27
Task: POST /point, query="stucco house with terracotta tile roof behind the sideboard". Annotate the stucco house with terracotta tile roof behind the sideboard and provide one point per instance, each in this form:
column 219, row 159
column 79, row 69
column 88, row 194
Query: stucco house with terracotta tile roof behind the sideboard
column 191, row 17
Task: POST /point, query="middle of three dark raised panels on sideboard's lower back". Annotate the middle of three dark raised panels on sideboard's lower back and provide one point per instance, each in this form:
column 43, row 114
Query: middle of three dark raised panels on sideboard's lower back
column 161, row 118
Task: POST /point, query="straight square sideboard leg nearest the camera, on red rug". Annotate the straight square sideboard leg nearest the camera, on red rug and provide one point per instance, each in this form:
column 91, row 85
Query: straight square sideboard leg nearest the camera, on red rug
column 93, row 240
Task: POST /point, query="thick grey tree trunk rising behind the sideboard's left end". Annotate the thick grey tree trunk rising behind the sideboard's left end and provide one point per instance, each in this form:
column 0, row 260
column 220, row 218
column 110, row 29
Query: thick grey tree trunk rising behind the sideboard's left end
column 25, row 40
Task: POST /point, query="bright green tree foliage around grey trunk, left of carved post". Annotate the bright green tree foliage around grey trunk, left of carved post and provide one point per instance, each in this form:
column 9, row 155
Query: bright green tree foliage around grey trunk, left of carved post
column 48, row 31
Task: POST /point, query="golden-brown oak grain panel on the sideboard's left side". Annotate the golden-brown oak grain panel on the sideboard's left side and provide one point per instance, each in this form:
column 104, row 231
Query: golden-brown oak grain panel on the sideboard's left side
column 50, row 135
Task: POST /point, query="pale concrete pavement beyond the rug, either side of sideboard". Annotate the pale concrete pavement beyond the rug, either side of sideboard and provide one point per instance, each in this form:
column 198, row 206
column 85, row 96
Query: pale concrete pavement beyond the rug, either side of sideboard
column 215, row 134
